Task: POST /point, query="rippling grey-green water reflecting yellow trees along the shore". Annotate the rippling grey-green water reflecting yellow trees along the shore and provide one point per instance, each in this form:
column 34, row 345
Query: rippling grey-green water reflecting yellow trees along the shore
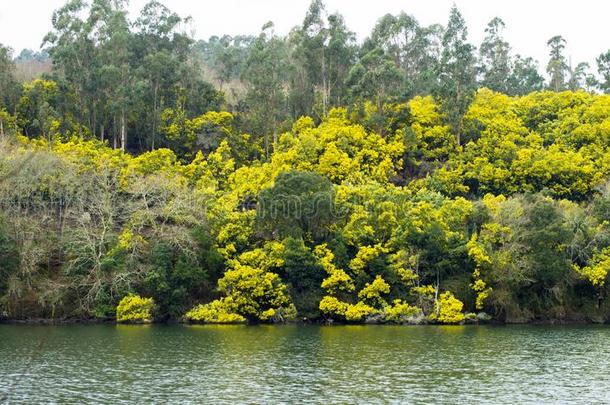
column 304, row 364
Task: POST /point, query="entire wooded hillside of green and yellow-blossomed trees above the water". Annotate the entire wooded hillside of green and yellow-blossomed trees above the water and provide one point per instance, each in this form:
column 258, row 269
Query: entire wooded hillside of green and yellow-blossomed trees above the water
column 411, row 177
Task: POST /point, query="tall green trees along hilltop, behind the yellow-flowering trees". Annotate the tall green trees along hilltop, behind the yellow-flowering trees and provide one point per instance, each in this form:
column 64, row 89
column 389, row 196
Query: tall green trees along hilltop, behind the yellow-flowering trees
column 134, row 84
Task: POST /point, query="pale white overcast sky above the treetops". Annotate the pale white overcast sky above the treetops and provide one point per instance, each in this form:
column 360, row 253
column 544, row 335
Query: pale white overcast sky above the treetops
column 530, row 23
